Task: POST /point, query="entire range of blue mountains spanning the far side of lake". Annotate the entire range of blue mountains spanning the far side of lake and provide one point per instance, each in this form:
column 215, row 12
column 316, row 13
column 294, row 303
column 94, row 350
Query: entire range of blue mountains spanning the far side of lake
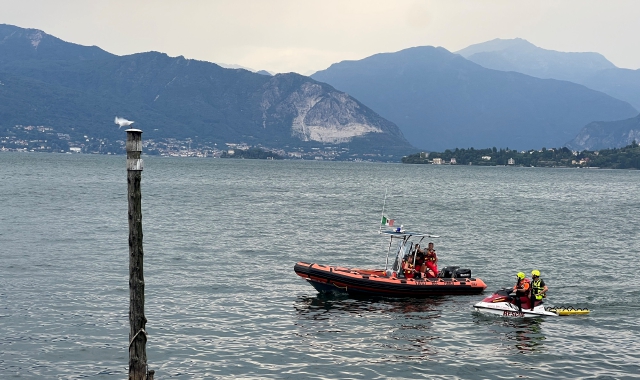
column 503, row 93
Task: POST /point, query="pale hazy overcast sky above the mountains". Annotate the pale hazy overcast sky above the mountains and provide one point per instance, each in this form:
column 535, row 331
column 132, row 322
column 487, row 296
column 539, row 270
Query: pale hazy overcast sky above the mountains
column 305, row 36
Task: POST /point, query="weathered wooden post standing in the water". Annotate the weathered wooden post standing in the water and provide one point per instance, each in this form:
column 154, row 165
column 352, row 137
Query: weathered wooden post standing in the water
column 137, row 320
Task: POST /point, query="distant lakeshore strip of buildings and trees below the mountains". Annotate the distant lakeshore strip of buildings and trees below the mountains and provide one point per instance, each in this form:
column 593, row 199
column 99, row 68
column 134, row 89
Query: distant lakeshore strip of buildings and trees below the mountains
column 46, row 139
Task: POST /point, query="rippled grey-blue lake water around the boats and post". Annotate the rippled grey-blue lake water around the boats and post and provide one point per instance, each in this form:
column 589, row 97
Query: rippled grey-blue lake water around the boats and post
column 221, row 238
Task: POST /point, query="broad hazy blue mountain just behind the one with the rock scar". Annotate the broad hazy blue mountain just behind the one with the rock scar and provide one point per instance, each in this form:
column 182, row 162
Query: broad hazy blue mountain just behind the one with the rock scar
column 440, row 100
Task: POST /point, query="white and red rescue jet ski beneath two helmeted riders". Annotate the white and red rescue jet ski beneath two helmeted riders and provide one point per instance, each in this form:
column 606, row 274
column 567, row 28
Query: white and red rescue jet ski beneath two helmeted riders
column 504, row 304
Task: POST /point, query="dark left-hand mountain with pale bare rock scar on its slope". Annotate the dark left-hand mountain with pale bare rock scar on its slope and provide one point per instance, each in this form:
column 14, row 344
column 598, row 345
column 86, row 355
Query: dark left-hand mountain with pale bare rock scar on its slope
column 79, row 89
